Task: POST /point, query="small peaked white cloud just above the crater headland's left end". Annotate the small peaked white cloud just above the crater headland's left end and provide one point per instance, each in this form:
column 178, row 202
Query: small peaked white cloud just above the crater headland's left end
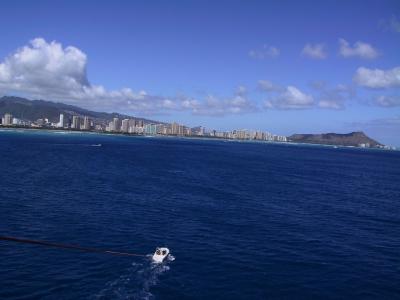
column 290, row 98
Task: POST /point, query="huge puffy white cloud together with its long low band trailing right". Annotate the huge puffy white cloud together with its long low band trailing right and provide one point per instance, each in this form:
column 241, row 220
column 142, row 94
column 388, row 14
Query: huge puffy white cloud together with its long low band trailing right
column 46, row 70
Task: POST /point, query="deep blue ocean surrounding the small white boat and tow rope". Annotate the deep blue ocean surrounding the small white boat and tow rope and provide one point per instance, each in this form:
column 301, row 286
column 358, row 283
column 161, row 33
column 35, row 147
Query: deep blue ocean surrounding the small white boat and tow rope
column 243, row 220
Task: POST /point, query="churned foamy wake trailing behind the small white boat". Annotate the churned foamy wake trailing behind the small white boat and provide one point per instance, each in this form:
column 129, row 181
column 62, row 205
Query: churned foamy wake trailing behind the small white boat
column 136, row 282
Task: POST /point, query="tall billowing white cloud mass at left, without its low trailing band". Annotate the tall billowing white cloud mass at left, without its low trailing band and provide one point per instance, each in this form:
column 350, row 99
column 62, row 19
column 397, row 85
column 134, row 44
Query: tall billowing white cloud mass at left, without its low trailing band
column 43, row 64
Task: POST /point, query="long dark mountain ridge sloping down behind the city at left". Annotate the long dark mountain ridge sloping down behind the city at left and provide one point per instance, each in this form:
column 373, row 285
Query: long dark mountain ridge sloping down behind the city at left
column 31, row 110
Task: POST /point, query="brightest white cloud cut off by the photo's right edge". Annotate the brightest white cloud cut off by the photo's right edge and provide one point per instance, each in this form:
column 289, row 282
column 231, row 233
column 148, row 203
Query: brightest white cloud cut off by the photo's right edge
column 376, row 78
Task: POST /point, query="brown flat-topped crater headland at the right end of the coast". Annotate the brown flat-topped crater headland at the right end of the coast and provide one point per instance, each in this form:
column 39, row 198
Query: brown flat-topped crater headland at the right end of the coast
column 348, row 139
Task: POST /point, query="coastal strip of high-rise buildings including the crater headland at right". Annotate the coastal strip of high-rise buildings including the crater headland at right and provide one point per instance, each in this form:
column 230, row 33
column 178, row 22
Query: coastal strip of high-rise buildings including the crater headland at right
column 139, row 127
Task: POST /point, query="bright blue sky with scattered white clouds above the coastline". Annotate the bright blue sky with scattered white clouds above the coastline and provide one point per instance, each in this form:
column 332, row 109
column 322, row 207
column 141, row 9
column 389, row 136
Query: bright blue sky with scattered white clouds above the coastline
column 282, row 66
